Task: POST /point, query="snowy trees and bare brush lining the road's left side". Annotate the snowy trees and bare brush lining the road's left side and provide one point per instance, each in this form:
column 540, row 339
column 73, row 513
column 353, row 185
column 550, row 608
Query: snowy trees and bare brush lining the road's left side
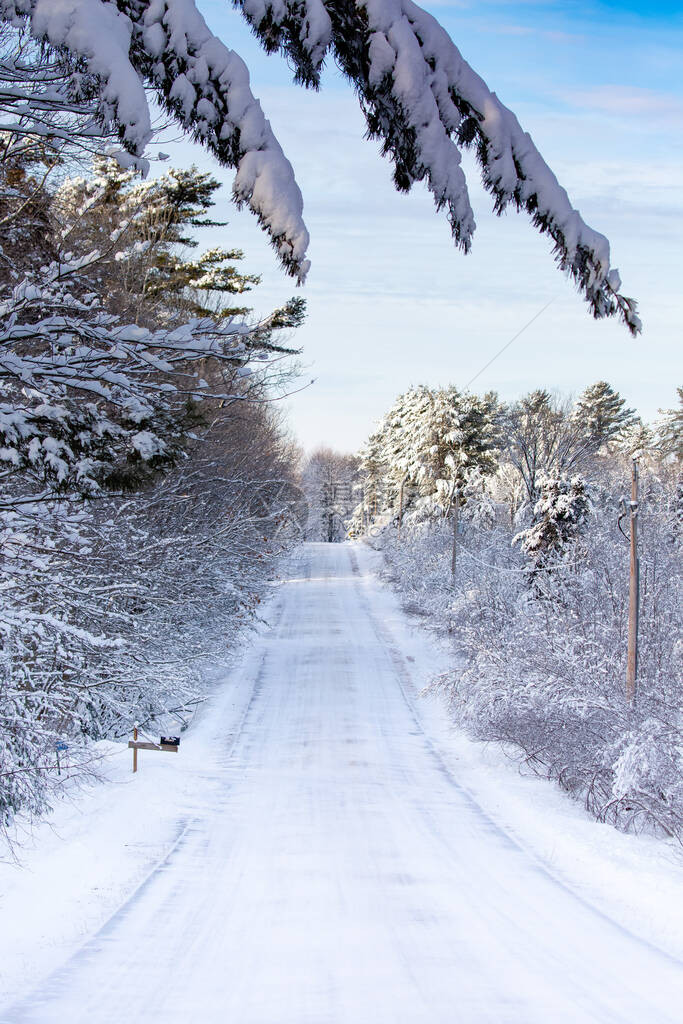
column 148, row 481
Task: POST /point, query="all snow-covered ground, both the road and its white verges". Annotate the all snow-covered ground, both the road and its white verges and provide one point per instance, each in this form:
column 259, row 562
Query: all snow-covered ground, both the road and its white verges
column 326, row 848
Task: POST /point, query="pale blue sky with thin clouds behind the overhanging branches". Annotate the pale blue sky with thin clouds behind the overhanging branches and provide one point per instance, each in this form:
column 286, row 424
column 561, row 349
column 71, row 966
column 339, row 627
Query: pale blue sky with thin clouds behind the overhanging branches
column 393, row 304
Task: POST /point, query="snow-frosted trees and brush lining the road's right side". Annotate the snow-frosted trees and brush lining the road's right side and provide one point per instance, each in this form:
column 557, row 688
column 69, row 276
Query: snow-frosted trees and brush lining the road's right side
column 536, row 600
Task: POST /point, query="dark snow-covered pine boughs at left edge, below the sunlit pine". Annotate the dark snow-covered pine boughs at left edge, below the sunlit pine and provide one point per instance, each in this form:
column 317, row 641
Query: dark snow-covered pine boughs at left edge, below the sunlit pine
column 90, row 401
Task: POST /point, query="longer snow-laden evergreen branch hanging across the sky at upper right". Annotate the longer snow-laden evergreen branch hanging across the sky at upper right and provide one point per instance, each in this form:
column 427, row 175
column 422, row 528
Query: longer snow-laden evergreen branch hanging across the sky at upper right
column 424, row 102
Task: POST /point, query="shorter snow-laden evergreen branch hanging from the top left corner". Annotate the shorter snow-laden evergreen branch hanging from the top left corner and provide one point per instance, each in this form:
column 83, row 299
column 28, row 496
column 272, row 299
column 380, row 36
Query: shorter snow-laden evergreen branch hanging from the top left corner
column 167, row 45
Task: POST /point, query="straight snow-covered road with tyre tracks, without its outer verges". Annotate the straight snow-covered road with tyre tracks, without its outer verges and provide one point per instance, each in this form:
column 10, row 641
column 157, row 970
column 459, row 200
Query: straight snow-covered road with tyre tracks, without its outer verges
column 333, row 870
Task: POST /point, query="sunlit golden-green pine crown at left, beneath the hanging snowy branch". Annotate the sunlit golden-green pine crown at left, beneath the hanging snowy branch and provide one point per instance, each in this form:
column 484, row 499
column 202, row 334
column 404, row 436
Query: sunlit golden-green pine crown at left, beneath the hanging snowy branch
column 112, row 209
